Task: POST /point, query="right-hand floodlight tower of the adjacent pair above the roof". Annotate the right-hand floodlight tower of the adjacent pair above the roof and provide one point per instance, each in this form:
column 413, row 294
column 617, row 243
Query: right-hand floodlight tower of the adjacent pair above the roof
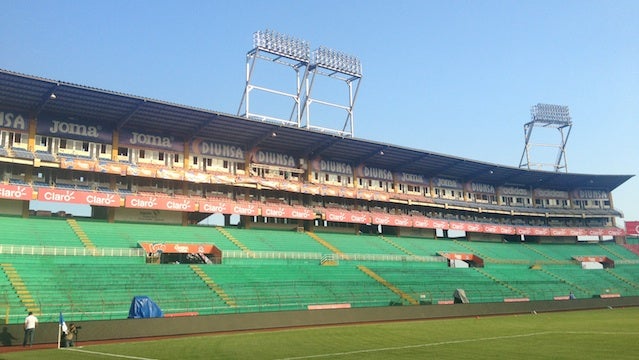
column 338, row 66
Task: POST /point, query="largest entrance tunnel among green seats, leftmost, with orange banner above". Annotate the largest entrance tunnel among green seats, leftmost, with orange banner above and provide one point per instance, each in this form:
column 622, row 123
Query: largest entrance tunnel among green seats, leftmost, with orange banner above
column 173, row 253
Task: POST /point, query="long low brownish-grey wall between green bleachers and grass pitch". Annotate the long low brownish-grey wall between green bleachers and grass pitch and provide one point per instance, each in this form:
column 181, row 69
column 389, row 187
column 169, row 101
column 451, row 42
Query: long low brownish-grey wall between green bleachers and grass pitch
column 136, row 328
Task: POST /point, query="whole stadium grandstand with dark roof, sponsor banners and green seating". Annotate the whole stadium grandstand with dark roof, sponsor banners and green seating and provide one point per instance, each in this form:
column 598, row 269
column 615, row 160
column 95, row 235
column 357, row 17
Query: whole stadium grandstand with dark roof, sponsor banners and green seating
column 322, row 220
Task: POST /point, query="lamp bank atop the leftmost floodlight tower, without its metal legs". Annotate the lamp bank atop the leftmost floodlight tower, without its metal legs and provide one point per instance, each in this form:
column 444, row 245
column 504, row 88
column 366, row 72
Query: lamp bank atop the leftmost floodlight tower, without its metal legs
column 281, row 44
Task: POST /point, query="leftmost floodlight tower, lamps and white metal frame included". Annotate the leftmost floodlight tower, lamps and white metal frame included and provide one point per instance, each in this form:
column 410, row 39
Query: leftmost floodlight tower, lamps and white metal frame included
column 271, row 46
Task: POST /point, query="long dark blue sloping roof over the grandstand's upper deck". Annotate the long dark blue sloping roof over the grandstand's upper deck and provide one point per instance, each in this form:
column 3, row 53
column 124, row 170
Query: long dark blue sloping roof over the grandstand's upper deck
column 33, row 95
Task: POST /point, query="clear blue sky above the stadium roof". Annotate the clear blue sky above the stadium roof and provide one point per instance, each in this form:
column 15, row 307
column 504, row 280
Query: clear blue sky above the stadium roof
column 454, row 77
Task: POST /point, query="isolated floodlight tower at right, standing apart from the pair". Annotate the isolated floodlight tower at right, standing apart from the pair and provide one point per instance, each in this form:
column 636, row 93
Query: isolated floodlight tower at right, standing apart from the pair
column 548, row 116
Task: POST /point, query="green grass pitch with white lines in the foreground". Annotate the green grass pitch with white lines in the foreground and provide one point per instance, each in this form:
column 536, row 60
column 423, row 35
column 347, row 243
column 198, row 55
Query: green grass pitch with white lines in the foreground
column 597, row 334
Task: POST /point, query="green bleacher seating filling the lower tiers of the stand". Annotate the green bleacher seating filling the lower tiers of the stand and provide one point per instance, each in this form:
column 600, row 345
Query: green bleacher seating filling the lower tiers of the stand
column 260, row 270
